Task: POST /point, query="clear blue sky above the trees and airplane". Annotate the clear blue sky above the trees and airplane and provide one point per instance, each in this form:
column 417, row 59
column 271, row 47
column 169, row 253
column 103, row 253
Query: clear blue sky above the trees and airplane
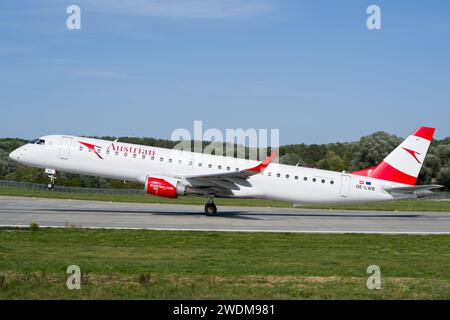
column 309, row 68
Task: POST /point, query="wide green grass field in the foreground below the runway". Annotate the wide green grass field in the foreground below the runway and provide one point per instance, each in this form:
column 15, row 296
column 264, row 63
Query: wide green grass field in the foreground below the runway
column 126, row 264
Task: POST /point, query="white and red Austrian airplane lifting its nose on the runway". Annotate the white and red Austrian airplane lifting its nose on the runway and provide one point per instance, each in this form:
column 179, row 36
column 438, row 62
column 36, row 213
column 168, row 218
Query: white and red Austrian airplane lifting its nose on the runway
column 172, row 173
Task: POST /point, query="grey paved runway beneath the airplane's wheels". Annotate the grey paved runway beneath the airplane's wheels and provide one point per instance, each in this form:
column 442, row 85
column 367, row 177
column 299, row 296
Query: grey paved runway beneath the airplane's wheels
column 17, row 211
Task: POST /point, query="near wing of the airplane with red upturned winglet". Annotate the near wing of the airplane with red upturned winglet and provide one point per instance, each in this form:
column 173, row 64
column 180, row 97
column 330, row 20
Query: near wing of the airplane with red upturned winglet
column 222, row 184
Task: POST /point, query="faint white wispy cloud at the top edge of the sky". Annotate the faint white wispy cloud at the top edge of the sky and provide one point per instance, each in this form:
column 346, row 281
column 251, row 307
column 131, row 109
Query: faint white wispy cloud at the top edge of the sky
column 192, row 9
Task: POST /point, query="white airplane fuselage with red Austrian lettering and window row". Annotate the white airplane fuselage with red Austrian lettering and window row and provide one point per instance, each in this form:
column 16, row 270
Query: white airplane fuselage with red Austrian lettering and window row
column 129, row 162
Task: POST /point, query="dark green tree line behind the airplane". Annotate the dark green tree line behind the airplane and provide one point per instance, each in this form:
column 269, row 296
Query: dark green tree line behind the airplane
column 350, row 156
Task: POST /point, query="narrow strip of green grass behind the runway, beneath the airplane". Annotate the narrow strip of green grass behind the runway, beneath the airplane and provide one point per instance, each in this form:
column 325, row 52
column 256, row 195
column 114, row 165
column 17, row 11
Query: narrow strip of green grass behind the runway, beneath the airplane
column 405, row 205
